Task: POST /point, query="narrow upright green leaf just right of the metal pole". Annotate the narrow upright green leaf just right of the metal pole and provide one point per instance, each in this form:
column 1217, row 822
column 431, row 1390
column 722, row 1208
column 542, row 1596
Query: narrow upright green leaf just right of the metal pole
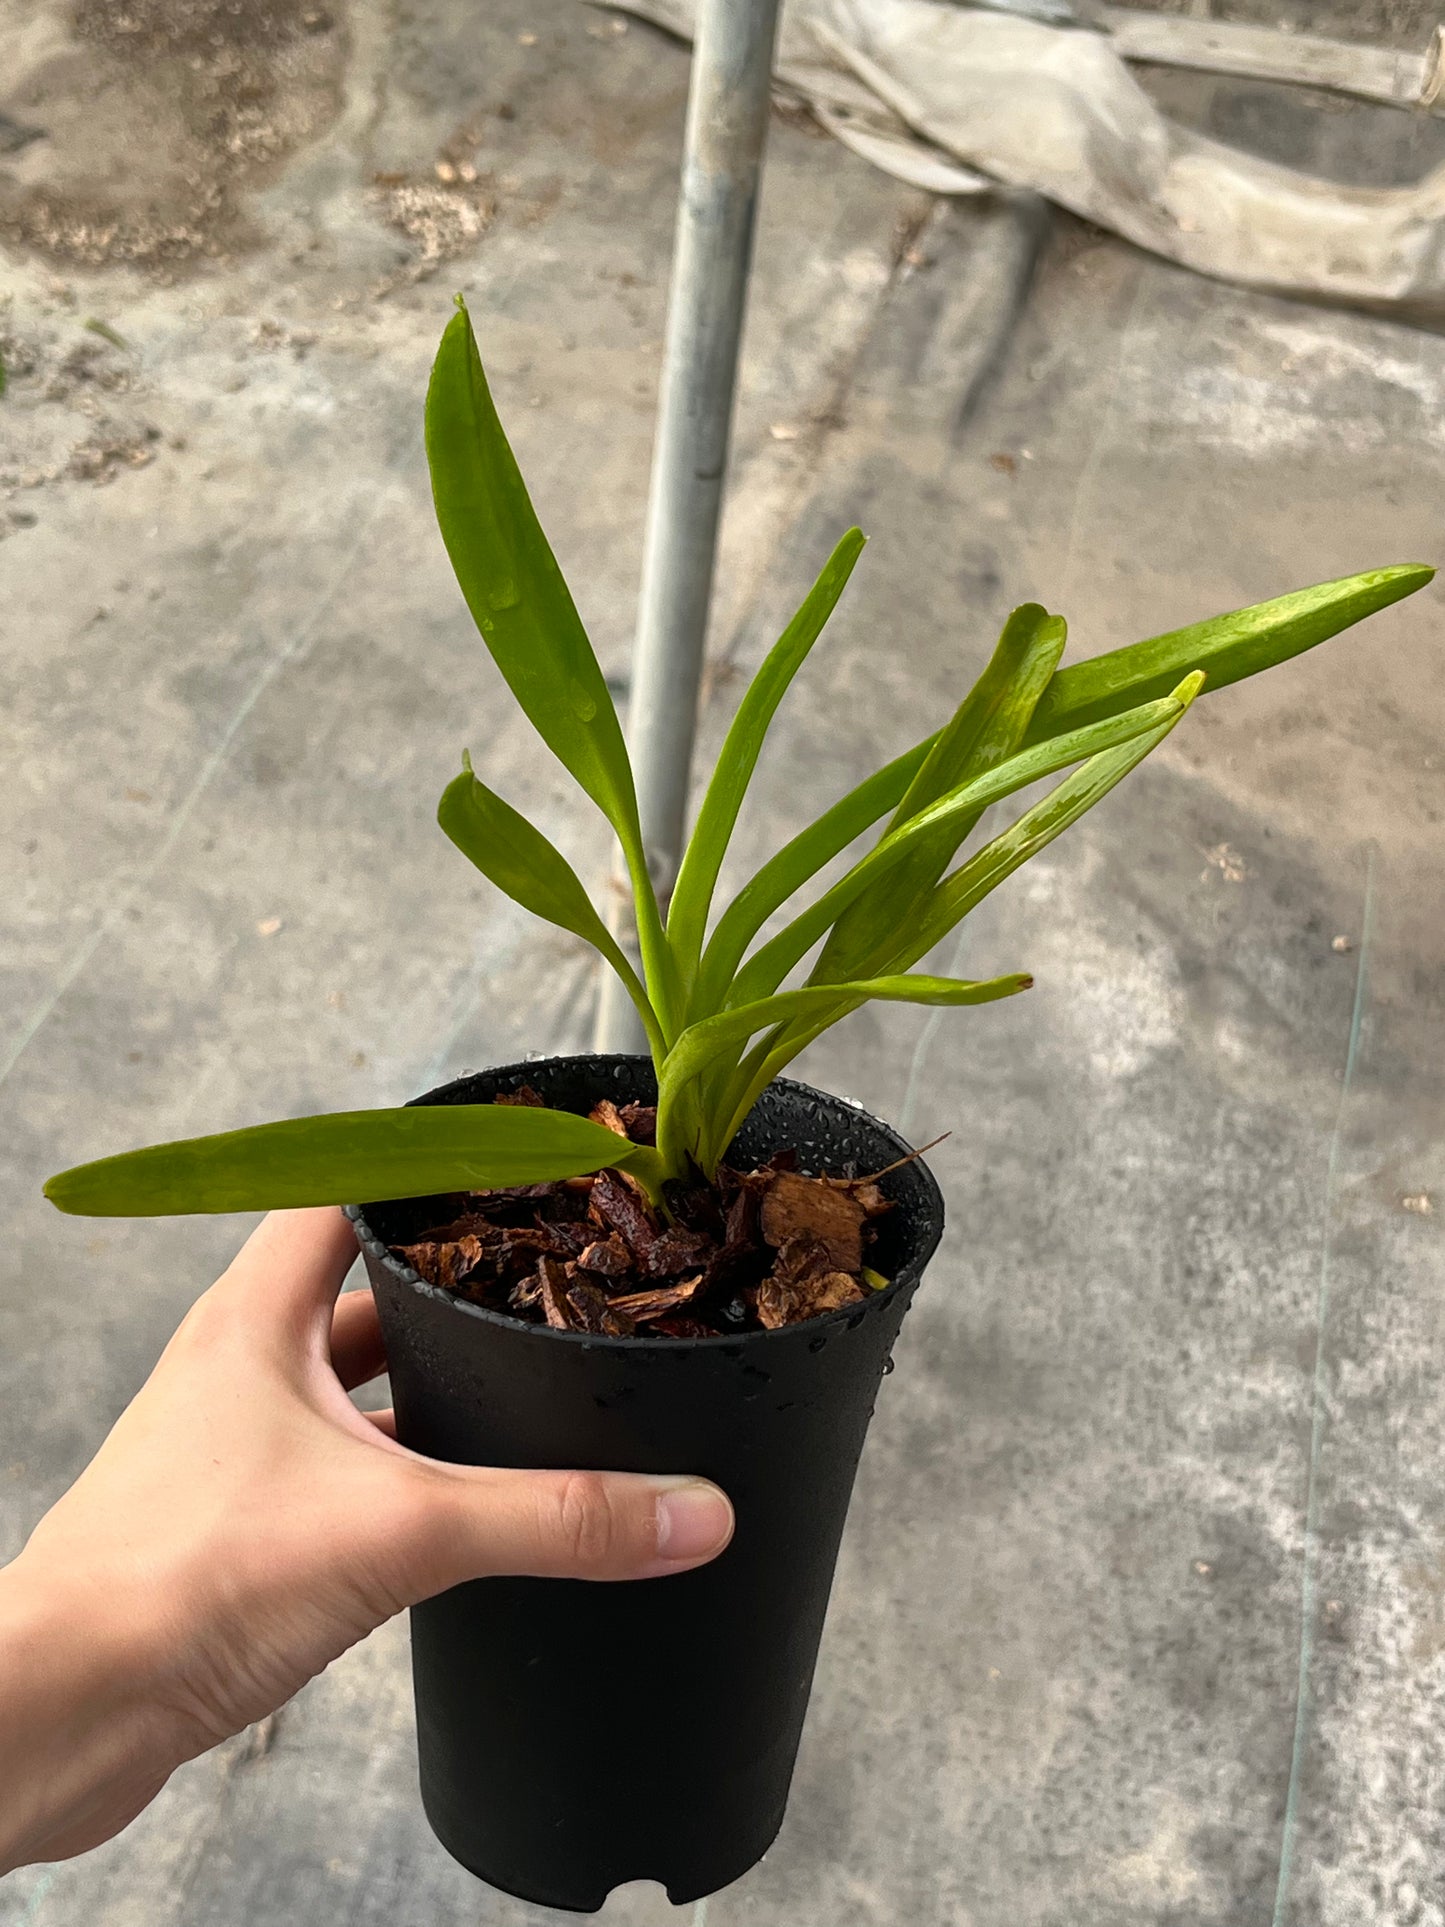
column 687, row 920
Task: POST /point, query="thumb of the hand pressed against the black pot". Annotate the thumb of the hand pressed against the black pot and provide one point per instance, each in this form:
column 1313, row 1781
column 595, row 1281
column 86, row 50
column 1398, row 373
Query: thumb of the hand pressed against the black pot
column 479, row 1523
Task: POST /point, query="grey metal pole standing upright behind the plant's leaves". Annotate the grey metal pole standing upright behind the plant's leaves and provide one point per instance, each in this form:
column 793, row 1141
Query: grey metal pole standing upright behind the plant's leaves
column 723, row 157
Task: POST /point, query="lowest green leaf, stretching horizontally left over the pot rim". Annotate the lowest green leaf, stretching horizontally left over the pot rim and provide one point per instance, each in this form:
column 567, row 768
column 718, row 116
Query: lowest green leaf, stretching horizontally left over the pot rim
column 346, row 1159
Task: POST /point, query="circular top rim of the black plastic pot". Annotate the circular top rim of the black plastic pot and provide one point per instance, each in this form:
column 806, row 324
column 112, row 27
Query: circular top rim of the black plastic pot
column 905, row 1279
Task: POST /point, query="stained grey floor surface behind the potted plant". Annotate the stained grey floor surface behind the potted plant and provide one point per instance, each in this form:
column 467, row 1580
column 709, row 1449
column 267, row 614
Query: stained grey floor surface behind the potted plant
column 1197, row 1180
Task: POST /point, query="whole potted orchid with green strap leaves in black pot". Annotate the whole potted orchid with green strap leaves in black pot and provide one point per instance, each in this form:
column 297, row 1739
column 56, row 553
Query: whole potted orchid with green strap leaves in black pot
column 679, row 1261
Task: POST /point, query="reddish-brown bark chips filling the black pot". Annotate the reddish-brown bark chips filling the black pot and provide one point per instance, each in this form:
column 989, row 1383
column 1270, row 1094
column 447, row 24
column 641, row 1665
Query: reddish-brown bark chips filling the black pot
column 754, row 1252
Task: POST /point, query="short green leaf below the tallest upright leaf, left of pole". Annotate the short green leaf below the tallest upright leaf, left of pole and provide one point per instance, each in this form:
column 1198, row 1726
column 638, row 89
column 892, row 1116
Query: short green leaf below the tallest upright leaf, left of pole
column 529, row 868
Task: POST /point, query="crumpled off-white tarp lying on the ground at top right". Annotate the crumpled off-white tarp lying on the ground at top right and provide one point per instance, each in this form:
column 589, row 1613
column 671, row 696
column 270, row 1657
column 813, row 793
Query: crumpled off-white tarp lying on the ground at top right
column 955, row 99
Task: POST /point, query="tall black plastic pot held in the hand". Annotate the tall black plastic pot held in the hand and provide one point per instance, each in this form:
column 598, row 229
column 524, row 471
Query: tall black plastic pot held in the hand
column 577, row 1737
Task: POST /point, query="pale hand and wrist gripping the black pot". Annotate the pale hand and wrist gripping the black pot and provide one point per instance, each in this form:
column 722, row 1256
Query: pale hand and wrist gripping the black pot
column 244, row 1525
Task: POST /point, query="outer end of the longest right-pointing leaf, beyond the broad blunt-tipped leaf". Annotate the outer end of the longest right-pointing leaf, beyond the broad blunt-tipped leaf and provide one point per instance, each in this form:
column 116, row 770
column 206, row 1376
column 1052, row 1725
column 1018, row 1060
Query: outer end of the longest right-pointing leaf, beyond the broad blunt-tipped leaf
column 1228, row 648
